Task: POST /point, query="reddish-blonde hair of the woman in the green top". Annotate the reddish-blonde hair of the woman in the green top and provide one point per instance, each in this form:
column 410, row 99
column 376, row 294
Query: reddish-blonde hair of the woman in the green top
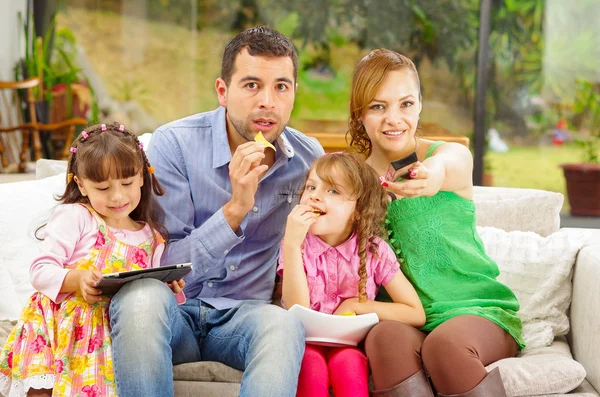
column 369, row 75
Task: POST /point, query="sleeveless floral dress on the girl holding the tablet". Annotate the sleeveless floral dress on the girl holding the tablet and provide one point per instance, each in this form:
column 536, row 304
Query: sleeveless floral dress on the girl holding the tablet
column 66, row 347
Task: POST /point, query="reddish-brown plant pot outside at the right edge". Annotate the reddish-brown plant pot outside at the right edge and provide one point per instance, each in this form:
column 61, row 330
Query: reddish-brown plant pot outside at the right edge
column 583, row 188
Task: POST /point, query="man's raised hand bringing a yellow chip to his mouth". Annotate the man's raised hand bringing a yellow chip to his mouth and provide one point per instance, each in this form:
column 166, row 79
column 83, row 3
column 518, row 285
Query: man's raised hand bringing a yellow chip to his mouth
column 245, row 172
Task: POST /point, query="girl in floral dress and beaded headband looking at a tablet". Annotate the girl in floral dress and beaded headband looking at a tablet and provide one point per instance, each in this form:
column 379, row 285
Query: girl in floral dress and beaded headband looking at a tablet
column 108, row 221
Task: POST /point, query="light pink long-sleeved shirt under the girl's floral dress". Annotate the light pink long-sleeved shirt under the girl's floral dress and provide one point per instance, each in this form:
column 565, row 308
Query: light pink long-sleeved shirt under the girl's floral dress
column 69, row 236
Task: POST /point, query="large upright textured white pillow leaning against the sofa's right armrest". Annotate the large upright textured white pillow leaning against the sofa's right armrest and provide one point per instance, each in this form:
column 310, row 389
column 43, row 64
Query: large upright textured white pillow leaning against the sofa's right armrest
column 538, row 270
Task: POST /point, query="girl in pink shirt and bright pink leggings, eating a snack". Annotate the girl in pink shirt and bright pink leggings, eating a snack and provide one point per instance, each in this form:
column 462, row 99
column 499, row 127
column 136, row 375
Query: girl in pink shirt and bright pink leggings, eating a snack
column 334, row 262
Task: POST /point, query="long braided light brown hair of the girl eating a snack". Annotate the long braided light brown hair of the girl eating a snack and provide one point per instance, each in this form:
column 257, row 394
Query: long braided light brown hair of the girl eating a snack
column 351, row 171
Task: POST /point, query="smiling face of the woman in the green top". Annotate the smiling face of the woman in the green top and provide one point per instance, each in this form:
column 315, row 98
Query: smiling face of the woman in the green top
column 391, row 118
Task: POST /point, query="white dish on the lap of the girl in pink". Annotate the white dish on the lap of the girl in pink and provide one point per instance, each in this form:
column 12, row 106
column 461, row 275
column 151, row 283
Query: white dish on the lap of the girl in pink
column 333, row 330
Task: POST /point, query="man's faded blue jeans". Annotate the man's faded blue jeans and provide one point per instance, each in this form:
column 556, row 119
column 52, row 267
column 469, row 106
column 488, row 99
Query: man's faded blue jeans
column 150, row 333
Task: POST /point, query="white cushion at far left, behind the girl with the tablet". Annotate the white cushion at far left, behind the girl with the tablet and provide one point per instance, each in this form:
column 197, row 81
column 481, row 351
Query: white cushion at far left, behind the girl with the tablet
column 25, row 206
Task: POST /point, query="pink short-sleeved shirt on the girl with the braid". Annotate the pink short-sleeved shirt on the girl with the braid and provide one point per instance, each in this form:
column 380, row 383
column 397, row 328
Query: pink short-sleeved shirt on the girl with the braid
column 332, row 272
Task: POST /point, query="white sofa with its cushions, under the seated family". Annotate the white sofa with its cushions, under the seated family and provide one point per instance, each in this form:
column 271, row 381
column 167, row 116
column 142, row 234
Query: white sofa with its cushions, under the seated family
column 545, row 267
